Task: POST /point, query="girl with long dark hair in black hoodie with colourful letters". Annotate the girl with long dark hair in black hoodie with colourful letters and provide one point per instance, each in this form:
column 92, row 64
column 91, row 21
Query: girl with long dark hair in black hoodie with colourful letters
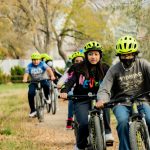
column 86, row 77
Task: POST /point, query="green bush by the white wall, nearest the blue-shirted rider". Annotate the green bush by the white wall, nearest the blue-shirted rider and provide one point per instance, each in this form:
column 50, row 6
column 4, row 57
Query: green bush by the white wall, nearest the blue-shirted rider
column 17, row 73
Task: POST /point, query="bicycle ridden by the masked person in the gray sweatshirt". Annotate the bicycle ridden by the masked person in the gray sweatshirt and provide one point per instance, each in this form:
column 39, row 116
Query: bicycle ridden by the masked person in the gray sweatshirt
column 138, row 131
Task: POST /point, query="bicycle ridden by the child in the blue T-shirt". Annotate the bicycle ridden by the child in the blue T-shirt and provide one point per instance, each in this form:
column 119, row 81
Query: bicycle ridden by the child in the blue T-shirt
column 40, row 100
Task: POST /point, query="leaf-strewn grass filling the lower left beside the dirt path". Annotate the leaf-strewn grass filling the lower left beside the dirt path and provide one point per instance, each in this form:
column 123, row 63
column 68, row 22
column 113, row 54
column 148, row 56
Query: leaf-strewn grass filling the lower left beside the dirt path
column 17, row 131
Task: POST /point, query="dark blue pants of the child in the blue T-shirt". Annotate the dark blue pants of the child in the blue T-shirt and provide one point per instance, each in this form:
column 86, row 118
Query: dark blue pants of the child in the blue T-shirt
column 31, row 92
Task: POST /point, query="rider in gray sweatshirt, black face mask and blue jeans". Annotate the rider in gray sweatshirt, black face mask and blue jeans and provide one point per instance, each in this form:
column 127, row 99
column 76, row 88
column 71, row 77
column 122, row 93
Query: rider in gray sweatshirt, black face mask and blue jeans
column 127, row 78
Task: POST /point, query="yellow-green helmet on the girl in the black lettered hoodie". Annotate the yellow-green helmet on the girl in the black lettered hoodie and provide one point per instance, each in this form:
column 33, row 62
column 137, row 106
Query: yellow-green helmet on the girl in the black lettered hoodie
column 93, row 45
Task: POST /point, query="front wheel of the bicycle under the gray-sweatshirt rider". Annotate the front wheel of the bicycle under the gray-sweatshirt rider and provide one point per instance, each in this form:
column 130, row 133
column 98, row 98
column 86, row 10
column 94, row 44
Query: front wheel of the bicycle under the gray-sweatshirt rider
column 138, row 136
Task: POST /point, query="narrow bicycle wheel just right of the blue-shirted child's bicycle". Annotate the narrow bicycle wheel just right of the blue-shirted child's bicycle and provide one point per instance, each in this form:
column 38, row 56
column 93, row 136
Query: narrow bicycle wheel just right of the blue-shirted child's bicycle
column 54, row 96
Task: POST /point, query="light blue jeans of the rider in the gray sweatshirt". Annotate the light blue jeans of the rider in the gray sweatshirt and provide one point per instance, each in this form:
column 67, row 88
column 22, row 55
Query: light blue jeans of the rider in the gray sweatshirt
column 122, row 114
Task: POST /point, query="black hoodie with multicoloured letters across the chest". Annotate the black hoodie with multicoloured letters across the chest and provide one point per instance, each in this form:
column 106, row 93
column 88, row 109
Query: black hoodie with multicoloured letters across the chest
column 85, row 77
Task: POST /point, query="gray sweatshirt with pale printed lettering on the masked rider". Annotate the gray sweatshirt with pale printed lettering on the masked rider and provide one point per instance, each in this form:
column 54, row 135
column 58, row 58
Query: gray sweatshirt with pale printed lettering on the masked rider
column 121, row 82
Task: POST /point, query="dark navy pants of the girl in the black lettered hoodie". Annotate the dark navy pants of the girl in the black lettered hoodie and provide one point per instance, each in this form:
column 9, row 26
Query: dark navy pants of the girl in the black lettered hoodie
column 81, row 110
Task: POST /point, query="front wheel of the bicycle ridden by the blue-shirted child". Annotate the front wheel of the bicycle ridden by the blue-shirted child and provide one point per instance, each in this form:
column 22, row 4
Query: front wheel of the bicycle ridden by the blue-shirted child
column 39, row 104
